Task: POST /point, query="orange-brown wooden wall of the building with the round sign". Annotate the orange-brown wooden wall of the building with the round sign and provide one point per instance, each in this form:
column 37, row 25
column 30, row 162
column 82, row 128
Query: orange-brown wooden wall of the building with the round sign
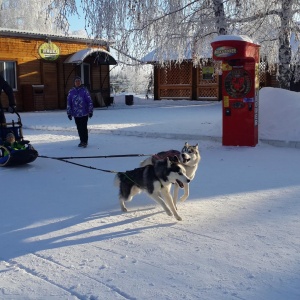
column 42, row 84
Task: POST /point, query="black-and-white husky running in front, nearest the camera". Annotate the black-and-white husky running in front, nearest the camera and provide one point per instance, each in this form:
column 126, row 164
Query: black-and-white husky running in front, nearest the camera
column 156, row 180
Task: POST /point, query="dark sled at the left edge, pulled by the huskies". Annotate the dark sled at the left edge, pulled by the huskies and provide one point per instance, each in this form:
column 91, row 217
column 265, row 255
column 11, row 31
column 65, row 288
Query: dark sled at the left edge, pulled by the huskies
column 15, row 157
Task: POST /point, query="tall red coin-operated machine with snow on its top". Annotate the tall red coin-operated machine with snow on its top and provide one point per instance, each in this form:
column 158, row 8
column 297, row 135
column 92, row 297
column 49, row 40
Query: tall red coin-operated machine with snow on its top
column 240, row 88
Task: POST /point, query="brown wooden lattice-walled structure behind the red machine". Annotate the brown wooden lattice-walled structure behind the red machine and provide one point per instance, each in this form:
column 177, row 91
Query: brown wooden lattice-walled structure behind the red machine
column 186, row 81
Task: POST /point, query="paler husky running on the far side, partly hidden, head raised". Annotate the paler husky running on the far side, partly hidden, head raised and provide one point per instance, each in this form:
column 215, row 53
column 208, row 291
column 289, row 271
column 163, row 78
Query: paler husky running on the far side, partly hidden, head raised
column 189, row 158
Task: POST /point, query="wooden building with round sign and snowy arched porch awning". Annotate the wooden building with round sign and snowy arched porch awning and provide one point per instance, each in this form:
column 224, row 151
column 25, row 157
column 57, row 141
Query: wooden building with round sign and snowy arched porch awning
column 41, row 68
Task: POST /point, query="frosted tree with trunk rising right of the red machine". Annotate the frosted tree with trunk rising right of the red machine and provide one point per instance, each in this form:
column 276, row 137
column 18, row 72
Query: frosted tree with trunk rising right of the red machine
column 273, row 24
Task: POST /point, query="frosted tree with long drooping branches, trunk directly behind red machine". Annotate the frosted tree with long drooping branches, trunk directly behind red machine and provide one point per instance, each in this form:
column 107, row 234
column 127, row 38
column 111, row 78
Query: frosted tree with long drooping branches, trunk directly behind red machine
column 135, row 27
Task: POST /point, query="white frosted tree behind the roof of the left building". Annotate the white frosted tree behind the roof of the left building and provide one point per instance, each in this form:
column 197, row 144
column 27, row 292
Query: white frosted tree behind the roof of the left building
column 31, row 15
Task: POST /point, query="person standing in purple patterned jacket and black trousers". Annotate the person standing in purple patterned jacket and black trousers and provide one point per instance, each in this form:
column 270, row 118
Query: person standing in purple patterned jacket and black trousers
column 80, row 106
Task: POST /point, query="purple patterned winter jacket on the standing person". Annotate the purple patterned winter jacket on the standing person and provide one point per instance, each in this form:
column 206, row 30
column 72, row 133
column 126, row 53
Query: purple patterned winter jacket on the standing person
column 79, row 102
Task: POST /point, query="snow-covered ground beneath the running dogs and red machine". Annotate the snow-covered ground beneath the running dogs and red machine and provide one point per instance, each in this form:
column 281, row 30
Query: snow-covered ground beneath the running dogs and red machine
column 63, row 235
